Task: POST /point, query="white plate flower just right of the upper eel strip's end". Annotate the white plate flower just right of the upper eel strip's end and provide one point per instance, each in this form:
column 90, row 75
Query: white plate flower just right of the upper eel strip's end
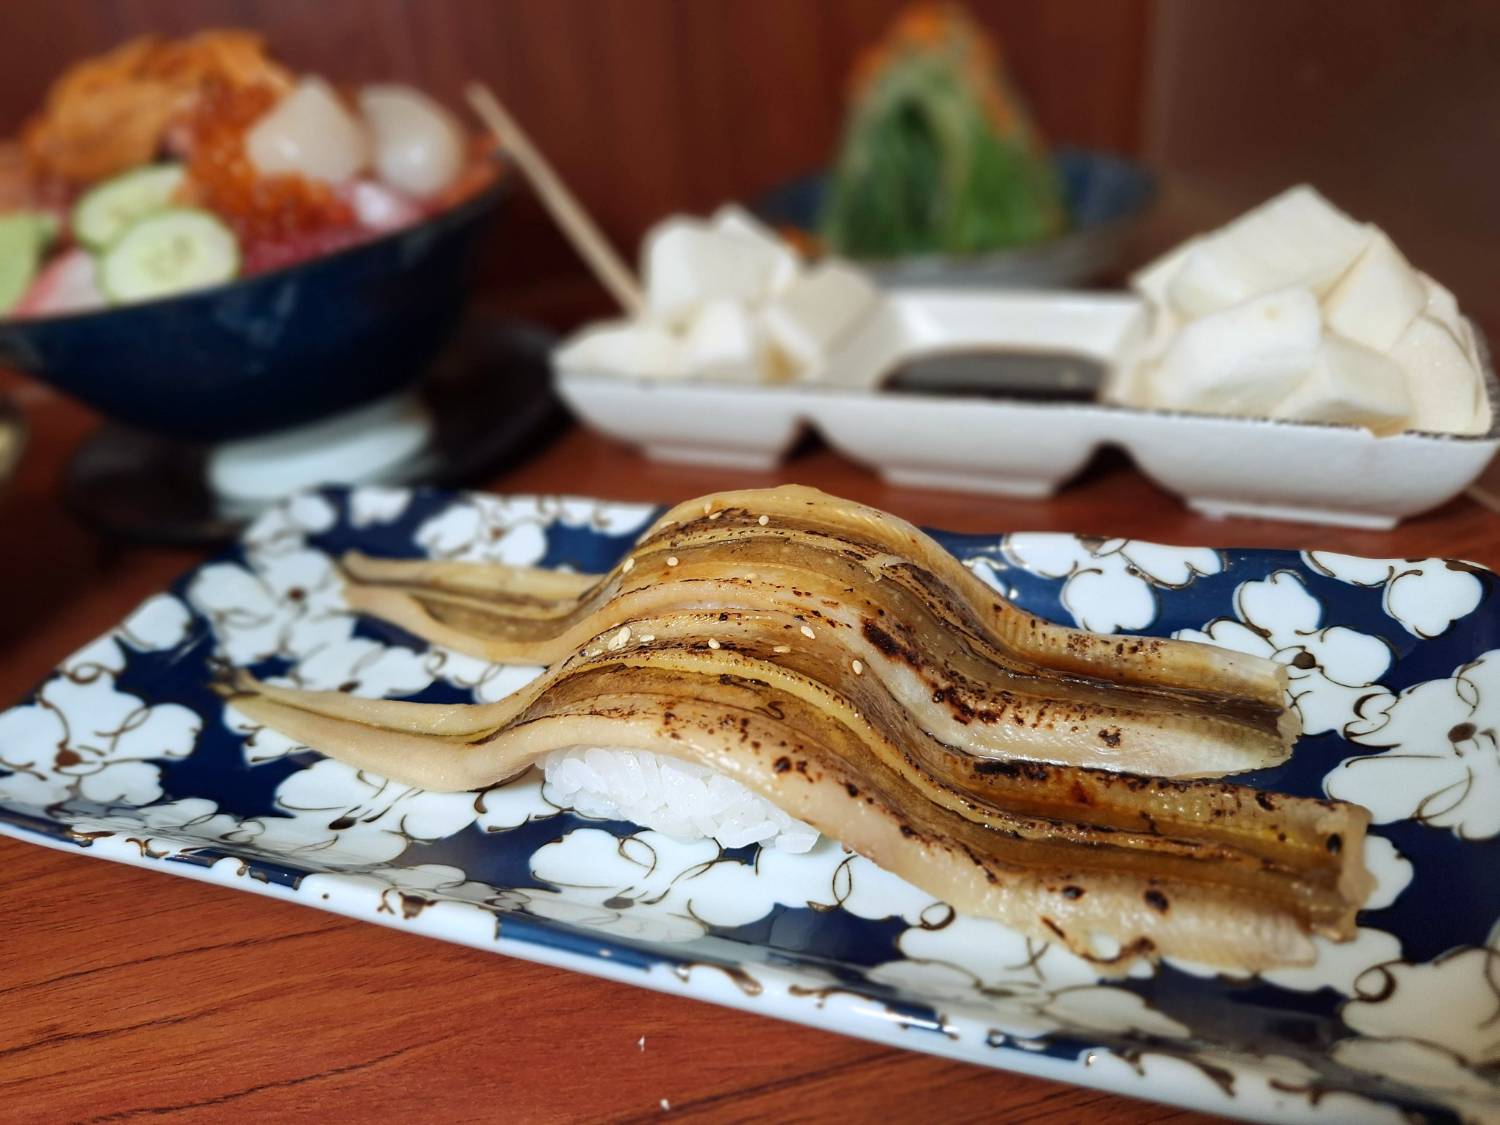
column 1331, row 668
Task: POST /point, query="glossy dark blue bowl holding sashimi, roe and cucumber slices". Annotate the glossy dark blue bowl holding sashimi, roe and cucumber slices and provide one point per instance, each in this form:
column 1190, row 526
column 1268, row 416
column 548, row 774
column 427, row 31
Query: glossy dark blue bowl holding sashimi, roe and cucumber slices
column 269, row 352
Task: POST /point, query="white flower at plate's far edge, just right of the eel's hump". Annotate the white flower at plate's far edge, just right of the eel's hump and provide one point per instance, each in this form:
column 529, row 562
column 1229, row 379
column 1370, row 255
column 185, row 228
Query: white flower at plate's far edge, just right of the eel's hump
column 1109, row 584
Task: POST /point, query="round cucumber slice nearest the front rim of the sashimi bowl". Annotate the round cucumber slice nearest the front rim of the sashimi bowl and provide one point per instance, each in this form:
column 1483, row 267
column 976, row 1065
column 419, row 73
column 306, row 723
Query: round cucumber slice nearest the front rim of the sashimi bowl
column 169, row 253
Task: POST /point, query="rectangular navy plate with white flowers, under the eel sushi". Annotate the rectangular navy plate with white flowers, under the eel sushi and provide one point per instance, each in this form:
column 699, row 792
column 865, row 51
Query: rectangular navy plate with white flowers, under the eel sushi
column 1396, row 668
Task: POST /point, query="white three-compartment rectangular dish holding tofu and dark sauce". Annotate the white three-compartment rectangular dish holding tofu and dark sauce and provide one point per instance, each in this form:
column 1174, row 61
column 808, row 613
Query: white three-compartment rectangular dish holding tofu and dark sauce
column 1220, row 466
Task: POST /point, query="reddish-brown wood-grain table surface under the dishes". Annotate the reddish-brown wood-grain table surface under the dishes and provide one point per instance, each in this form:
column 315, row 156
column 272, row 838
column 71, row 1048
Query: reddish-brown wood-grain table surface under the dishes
column 128, row 995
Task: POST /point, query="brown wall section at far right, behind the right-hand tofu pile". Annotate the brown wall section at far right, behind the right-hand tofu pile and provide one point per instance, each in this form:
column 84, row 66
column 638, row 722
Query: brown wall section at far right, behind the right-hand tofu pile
column 1390, row 107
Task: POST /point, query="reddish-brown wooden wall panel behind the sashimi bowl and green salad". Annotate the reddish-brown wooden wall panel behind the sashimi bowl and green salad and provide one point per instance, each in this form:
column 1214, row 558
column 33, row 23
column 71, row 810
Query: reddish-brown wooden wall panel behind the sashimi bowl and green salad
column 646, row 106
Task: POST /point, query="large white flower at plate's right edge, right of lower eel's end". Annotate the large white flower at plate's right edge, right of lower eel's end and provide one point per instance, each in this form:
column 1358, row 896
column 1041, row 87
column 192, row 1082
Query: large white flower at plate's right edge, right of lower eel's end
column 1439, row 757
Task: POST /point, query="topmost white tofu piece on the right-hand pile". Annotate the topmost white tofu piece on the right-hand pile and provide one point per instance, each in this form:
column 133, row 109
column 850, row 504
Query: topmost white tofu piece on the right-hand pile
column 1295, row 241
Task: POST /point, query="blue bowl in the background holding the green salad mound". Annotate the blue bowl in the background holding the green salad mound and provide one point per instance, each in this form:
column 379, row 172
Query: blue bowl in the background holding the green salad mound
column 1106, row 197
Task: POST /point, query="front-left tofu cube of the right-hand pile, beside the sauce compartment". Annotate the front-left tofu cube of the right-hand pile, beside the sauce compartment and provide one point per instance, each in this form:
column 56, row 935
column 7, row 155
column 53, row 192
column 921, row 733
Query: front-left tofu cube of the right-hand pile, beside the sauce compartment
column 1243, row 361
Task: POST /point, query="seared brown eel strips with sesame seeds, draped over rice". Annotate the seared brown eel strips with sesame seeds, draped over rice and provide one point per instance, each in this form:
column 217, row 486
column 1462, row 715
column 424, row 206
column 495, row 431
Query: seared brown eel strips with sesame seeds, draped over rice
column 842, row 665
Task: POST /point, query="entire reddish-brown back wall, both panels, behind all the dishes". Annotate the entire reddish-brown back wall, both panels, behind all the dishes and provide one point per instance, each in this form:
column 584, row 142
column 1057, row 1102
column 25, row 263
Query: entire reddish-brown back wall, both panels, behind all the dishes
column 650, row 107
